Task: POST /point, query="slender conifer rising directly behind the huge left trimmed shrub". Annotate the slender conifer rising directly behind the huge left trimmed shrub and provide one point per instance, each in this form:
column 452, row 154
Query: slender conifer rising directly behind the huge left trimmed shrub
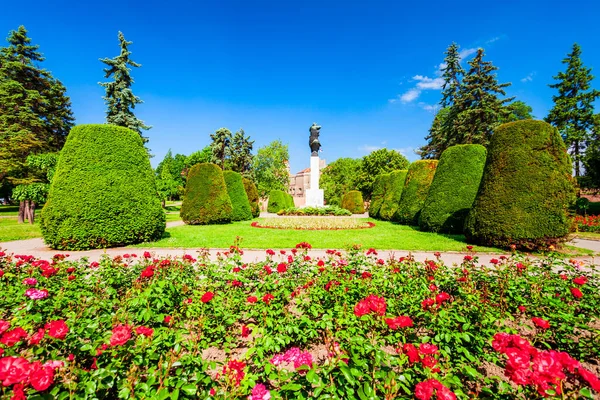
column 119, row 97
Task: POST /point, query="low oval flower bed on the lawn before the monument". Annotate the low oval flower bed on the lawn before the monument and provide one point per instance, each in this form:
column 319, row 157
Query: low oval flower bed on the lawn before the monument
column 311, row 223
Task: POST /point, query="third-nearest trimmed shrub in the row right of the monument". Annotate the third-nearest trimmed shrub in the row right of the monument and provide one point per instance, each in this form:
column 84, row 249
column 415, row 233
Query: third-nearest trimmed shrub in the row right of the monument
column 418, row 179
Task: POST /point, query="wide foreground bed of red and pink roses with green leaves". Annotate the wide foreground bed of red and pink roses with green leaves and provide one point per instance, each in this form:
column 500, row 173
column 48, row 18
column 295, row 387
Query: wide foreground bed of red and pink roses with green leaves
column 347, row 326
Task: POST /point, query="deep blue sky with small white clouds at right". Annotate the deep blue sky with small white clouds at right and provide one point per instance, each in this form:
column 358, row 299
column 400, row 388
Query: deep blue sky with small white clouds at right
column 364, row 70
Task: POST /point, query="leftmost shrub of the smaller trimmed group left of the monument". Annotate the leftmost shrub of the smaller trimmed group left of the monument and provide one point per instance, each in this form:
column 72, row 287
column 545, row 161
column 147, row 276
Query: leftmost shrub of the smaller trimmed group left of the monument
column 206, row 200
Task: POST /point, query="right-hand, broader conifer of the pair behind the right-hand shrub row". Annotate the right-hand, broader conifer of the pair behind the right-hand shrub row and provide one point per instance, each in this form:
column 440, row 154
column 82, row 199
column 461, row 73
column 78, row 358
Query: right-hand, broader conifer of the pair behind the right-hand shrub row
column 477, row 109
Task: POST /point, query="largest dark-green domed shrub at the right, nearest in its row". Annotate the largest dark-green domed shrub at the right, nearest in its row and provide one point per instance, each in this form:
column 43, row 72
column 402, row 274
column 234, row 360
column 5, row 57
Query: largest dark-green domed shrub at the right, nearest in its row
column 526, row 189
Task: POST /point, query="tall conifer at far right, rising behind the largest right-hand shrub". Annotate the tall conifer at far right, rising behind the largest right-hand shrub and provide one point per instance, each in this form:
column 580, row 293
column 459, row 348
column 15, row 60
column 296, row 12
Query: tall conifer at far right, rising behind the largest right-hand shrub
column 573, row 111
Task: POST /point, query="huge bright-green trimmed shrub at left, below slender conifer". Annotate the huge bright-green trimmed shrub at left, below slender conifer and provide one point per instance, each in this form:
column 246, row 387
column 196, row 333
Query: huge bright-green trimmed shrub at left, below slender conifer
column 103, row 192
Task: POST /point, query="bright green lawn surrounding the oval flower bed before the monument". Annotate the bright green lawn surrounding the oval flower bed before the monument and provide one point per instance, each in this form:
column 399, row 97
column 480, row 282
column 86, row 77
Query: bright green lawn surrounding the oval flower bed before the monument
column 385, row 235
